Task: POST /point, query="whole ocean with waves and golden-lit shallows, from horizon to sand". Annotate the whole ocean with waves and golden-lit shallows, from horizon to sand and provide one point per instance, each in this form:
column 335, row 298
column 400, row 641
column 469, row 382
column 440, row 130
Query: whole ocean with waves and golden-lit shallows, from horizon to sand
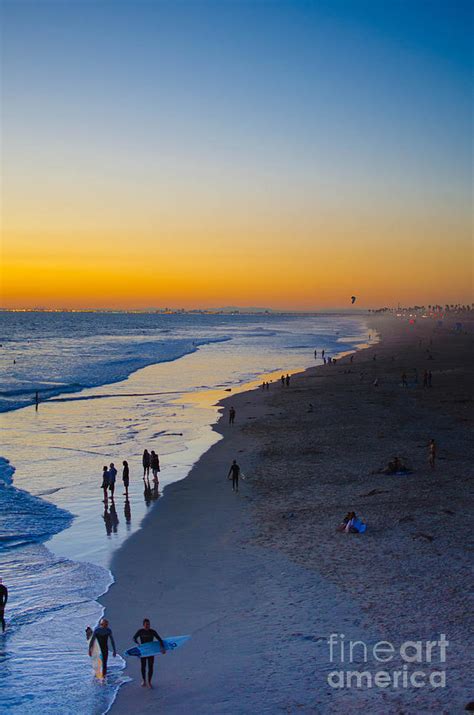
column 110, row 384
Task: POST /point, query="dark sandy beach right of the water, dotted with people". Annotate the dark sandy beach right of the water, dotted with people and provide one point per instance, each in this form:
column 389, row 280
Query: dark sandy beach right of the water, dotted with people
column 262, row 578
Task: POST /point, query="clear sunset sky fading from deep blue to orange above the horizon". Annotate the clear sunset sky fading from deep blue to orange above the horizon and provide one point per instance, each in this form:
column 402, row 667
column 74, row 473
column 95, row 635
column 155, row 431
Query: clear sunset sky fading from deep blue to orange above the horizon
column 286, row 154
